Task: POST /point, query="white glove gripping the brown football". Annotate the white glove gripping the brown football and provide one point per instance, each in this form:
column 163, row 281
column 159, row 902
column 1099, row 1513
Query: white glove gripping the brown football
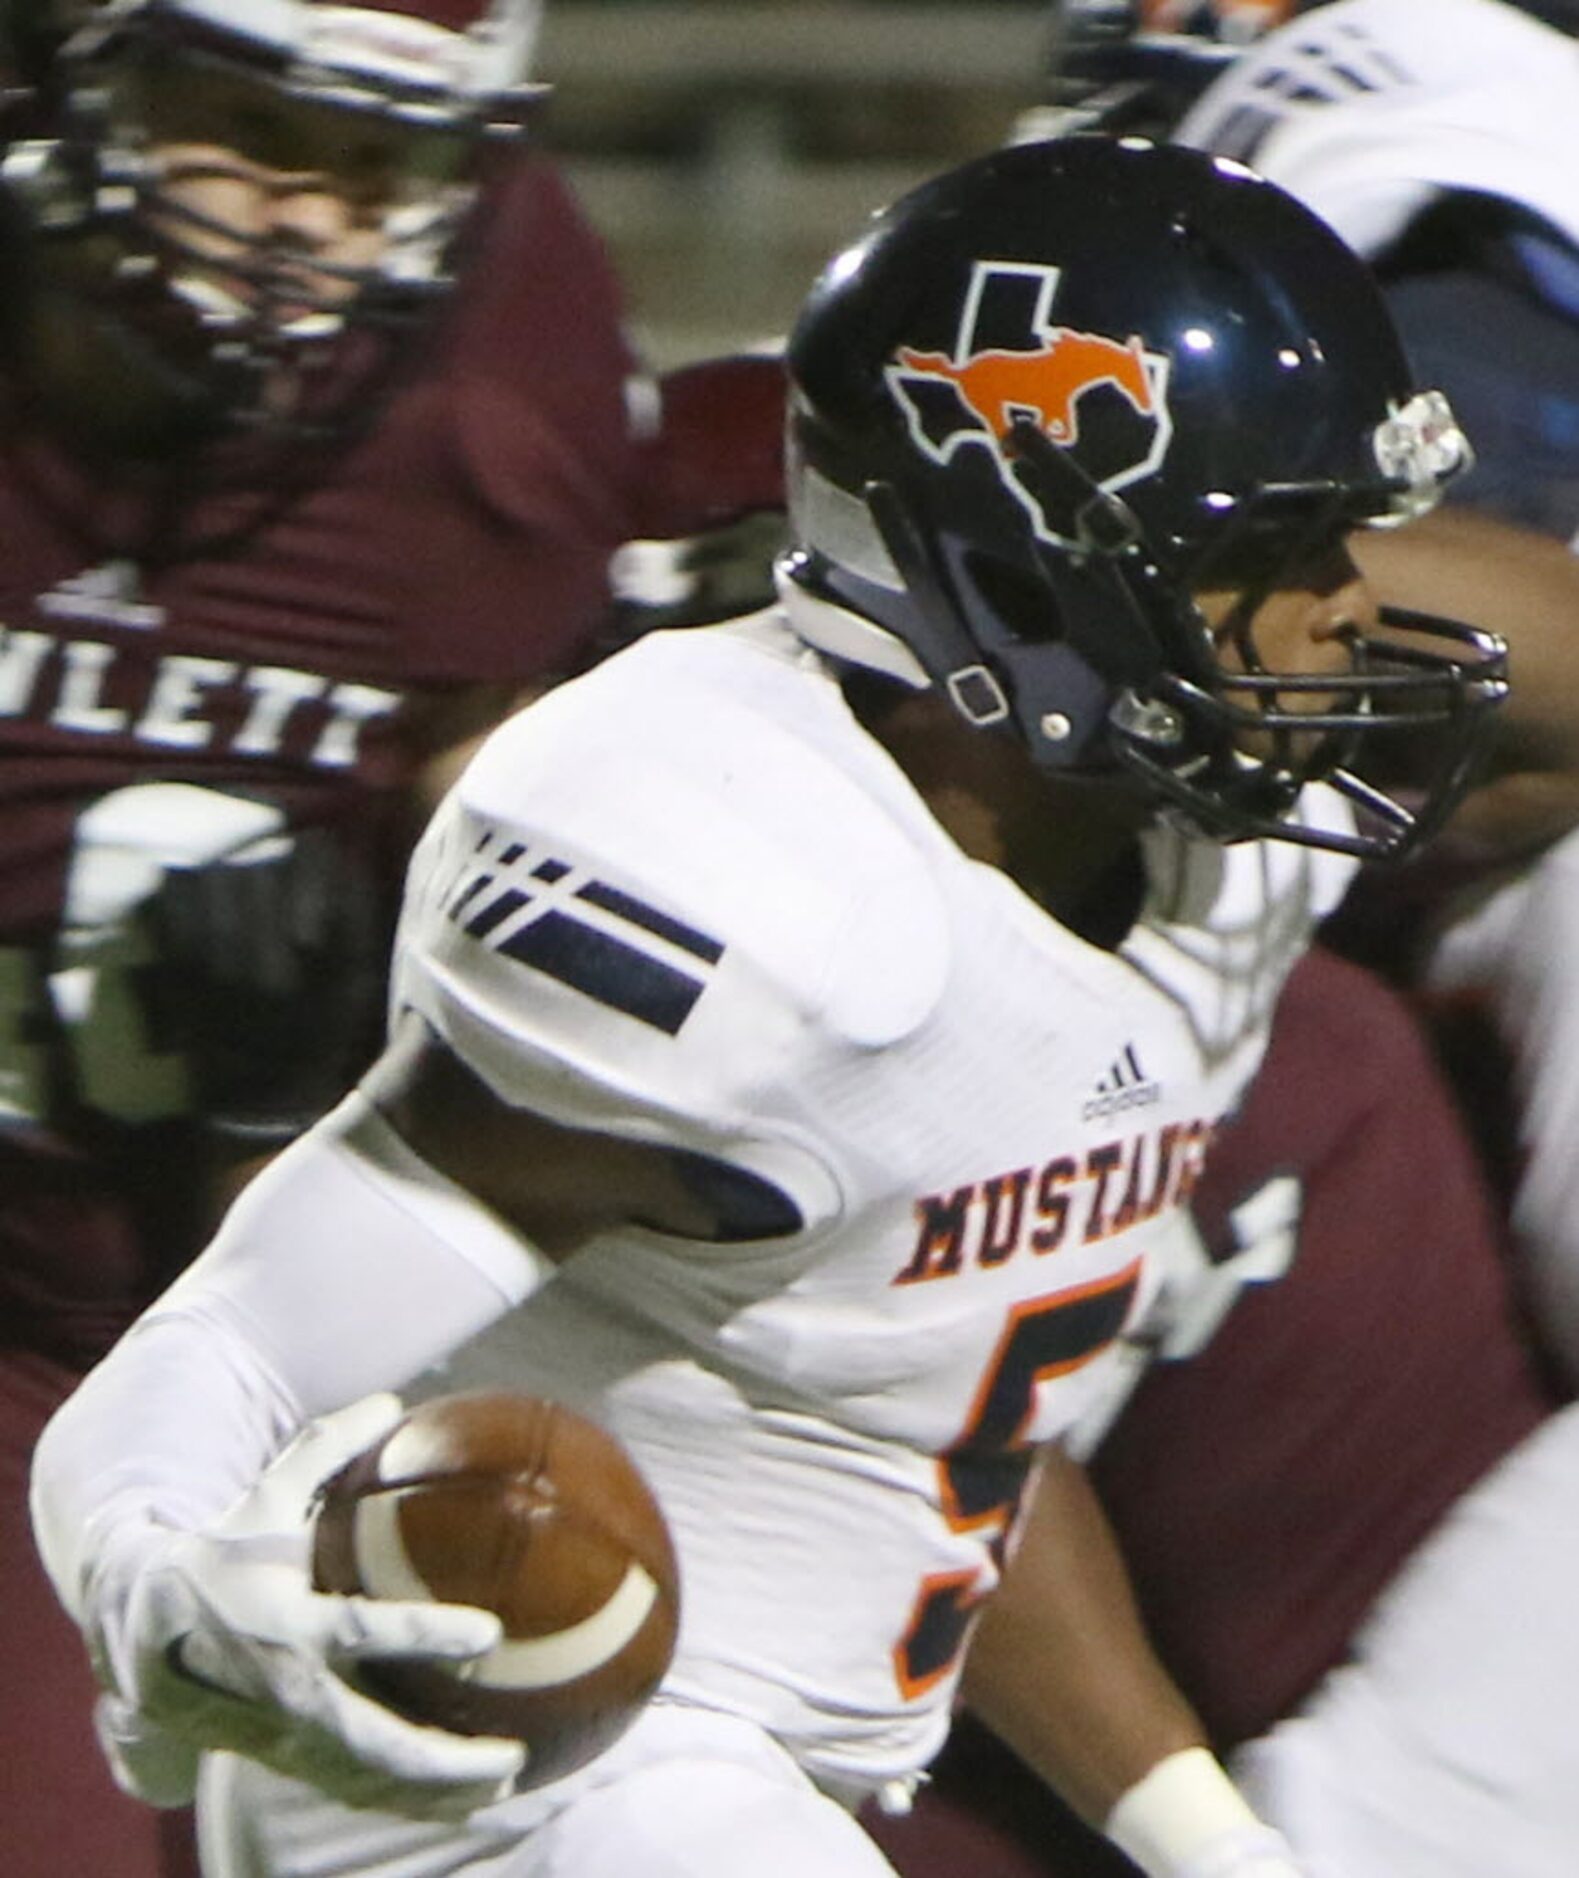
column 217, row 1640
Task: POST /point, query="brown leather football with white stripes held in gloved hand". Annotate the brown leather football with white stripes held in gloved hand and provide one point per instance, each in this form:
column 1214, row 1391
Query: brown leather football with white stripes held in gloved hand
column 530, row 1511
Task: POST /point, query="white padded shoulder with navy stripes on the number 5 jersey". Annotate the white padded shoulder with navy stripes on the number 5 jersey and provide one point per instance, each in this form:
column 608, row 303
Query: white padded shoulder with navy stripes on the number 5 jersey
column 682, row 867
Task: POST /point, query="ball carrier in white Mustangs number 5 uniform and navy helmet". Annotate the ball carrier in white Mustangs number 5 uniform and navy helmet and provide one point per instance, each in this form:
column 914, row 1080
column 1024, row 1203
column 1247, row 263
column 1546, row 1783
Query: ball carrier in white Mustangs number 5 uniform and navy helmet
column 851, row 993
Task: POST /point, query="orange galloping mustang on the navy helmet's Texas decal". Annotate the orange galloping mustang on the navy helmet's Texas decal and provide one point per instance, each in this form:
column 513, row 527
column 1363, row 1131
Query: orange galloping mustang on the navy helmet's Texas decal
column 1045, row 386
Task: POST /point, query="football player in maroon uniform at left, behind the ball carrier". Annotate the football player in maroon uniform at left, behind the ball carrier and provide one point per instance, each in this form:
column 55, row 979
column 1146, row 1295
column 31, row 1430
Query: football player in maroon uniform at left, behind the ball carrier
column 314, row 444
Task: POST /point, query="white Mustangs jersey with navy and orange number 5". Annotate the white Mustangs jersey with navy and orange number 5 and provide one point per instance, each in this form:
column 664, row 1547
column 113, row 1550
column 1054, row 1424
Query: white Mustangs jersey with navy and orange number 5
column 690, row 901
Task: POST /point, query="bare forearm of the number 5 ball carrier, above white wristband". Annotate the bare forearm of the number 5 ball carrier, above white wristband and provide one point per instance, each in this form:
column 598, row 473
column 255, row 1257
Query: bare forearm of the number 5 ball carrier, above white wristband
column 1062, row 1667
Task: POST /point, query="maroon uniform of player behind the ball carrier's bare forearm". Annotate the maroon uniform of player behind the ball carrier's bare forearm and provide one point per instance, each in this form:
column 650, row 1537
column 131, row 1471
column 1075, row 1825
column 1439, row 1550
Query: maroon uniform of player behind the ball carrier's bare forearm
column 1268, row 1488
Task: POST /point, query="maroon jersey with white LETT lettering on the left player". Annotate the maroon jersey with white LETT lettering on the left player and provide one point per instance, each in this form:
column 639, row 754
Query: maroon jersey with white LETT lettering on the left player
column 249, row 651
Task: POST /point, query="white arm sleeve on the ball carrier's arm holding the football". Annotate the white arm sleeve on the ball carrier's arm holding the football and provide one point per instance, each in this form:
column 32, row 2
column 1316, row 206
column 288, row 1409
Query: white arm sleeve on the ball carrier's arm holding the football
column 345, row 1269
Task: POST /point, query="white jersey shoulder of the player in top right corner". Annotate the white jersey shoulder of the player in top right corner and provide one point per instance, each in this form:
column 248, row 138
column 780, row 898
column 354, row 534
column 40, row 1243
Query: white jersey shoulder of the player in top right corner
column 1368, row 110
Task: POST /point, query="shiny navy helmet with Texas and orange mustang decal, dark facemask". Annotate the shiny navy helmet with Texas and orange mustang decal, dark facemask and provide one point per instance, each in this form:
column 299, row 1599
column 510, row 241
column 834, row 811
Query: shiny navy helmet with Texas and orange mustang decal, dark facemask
column 1062, row 392
